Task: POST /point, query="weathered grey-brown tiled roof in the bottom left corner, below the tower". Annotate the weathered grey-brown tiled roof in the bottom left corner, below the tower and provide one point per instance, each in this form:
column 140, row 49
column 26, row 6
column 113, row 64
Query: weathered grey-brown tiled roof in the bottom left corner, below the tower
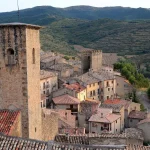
column 14, row 143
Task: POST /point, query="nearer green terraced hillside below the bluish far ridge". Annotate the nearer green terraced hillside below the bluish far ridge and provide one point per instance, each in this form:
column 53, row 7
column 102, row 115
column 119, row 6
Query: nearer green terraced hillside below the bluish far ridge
column 123, row 37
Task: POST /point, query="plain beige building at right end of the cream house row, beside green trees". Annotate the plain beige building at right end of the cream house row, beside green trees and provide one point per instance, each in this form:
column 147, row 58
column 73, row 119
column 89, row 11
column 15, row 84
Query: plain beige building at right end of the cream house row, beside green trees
column 123, row 87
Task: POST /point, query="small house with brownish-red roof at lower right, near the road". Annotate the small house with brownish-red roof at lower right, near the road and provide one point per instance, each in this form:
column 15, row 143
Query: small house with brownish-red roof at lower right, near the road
column 135, row 117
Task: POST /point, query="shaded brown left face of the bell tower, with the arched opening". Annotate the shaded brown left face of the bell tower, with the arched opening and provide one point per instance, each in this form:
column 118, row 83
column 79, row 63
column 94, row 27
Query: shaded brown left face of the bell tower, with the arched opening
column 13, row 83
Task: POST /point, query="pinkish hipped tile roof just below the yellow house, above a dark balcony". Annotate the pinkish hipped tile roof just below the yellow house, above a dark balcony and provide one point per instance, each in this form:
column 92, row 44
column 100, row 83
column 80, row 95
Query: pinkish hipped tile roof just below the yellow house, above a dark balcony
column 66, row 100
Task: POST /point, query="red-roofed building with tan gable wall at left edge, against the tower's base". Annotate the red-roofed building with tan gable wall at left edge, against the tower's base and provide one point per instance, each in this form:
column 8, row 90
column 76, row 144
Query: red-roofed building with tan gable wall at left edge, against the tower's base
column 10, row 122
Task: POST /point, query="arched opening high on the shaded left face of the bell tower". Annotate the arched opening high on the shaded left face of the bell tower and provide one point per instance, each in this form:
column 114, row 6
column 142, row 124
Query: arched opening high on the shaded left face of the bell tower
column 10, row 56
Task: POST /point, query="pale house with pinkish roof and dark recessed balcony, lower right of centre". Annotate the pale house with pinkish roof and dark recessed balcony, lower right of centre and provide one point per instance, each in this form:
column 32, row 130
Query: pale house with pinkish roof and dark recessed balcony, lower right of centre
column 104, row 121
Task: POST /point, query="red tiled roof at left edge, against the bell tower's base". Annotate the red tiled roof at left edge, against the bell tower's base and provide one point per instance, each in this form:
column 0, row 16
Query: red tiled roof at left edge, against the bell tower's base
column 7, row 119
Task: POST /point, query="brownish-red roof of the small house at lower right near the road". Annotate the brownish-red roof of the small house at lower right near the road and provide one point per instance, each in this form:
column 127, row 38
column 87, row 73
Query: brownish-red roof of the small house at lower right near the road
column 137, row 114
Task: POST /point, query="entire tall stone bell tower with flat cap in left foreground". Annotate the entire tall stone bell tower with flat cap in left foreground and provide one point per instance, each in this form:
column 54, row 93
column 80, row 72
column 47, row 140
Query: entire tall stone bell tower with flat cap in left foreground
column 20, row 74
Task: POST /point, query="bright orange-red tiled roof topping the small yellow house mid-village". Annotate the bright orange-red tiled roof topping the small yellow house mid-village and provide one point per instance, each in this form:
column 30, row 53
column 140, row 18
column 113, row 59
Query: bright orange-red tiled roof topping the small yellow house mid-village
column 75, row 86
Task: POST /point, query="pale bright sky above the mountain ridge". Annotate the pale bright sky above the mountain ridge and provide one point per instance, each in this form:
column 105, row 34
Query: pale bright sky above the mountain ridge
column 9, row 5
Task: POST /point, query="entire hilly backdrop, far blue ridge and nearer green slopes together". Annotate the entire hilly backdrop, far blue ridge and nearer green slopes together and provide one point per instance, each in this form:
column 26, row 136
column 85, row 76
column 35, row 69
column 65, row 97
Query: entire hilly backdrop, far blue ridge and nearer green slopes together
column 112, row 29
